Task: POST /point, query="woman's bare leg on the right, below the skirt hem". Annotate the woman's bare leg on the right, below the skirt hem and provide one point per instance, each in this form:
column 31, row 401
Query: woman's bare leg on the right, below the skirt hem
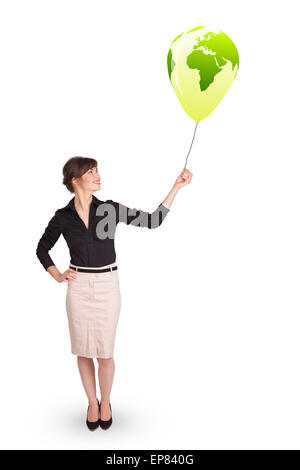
column 106, row 372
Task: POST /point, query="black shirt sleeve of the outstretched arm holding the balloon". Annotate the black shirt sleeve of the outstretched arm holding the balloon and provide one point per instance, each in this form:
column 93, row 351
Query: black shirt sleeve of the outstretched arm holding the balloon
column 138, row 217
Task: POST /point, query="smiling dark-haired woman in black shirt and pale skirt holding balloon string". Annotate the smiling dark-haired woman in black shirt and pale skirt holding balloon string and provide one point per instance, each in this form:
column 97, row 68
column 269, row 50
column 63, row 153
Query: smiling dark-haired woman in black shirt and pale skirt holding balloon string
column 93, row 299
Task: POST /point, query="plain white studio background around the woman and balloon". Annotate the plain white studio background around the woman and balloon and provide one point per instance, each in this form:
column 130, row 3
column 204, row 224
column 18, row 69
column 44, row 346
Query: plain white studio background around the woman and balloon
column 207, row 347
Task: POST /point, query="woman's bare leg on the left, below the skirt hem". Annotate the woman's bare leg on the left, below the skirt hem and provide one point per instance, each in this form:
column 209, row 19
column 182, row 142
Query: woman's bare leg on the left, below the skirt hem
column 87, row 373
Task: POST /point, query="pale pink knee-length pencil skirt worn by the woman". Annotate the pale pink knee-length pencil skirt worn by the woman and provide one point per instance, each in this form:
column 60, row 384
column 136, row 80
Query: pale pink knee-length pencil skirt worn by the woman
column 93, row 304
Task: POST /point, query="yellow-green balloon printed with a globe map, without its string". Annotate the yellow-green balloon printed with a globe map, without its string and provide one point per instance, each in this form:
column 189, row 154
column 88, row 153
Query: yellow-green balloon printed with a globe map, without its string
column 202, row 65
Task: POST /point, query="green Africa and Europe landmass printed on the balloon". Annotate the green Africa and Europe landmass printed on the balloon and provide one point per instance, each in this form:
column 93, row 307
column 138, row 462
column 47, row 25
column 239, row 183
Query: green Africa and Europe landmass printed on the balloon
column 208, row 64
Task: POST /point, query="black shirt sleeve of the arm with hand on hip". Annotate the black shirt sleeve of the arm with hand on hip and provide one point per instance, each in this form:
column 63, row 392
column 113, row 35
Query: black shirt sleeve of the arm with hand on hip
column 48, row 240
